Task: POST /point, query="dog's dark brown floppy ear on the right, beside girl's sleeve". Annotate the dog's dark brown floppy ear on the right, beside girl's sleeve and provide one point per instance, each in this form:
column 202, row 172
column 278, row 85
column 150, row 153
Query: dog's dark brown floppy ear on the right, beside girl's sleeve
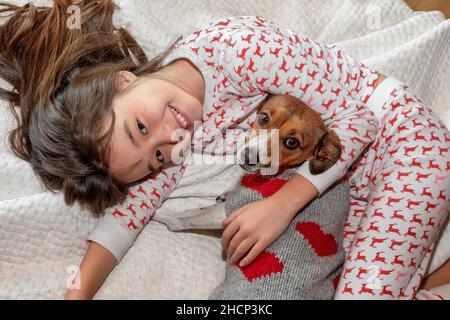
column 327, row 153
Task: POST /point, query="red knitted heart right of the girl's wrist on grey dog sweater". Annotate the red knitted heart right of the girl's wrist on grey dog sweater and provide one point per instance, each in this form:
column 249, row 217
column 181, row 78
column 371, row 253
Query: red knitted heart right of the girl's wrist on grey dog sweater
column 323, row 244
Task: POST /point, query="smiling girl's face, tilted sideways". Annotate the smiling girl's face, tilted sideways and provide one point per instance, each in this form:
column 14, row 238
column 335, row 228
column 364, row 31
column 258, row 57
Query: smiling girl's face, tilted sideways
column 142, row 138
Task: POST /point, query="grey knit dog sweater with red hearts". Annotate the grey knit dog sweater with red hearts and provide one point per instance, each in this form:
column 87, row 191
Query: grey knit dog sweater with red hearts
column 305, row 262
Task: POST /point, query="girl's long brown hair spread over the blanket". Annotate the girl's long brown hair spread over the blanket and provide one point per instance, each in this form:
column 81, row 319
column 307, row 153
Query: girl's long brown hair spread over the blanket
column 63, row 84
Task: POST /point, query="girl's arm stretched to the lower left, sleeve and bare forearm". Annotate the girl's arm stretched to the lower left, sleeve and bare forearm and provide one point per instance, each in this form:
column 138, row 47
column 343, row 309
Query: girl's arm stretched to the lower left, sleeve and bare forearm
column 116, row 231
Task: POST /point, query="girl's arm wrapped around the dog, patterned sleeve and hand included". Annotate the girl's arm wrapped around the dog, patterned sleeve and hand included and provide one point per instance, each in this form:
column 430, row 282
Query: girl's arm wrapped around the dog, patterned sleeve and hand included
column 265, row 59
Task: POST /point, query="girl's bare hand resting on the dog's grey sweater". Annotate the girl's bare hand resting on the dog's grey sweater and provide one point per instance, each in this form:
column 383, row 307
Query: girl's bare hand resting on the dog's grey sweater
column 253, row 227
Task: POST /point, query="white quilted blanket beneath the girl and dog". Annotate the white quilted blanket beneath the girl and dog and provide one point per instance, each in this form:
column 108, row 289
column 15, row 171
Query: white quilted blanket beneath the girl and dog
column 41, row 239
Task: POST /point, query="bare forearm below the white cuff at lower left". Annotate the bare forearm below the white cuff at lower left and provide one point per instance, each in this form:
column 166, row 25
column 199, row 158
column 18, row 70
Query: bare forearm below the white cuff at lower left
column 94, row 269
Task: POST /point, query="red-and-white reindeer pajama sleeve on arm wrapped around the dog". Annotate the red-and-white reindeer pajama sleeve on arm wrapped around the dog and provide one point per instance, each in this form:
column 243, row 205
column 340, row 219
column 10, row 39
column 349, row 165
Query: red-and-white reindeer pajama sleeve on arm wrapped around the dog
column 264, row 59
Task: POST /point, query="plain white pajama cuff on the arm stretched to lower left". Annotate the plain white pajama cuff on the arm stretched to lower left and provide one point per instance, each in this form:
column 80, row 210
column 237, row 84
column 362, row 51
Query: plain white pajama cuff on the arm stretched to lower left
column 112, row 236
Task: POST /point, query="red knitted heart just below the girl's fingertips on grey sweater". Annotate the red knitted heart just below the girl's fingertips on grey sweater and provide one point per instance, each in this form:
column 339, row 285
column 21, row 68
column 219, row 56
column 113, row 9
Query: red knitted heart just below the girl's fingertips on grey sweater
column 266, row 264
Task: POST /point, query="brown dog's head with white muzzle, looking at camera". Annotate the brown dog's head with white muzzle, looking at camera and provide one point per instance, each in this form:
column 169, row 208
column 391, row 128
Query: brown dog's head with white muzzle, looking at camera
column 302, row 135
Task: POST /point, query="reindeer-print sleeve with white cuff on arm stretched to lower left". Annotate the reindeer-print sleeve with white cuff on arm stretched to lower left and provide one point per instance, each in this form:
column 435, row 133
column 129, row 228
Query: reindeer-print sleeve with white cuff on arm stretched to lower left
column 119, row 227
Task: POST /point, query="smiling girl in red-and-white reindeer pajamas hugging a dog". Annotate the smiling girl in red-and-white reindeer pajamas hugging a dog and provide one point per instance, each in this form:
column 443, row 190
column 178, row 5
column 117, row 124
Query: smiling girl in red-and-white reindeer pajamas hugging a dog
column 97, row 122
